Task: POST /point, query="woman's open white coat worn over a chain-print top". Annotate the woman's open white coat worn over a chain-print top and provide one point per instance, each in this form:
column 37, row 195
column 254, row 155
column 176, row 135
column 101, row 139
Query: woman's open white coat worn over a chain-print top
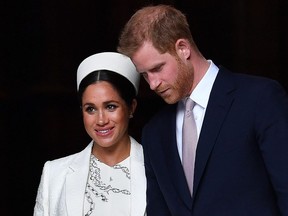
column 63, row 182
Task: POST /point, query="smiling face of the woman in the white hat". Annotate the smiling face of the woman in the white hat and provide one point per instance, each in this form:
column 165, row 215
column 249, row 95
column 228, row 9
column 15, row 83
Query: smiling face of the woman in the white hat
column 106, row 115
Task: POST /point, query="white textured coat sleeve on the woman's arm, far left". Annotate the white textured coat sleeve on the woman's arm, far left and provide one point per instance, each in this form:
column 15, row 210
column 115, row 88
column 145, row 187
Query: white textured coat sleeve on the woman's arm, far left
column 41, row 205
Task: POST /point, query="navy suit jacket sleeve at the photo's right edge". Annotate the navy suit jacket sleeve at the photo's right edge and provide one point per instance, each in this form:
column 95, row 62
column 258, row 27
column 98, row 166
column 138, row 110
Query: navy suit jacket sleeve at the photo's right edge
column 272, row 129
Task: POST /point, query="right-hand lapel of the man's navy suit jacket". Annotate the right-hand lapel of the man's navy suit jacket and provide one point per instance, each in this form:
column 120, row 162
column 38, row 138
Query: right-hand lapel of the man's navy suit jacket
column 221, row 99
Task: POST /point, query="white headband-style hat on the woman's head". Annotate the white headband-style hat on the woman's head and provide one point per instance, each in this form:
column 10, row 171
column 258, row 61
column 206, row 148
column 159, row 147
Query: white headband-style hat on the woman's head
column 111, row 61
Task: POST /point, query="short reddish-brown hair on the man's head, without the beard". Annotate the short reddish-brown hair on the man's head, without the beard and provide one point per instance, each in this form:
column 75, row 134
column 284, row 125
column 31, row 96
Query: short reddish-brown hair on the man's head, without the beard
column 162, row 25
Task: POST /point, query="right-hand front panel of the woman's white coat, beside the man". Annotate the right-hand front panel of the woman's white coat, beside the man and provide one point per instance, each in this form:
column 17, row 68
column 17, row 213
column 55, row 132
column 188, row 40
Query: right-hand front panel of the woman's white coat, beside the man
column 138, row 180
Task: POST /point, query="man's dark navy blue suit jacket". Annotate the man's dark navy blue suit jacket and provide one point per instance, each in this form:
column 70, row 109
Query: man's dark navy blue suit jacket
column 241, row 166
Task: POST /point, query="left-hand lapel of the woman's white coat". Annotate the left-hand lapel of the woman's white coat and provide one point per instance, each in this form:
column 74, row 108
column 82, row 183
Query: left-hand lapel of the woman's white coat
column 76, row 182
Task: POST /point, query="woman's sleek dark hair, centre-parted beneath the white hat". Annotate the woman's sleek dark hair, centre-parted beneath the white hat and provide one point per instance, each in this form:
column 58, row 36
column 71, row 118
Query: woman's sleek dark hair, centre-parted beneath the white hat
column 124, row 87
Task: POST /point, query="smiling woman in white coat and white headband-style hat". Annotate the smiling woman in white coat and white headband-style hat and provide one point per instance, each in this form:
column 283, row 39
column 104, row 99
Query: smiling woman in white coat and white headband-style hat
column 107, row 177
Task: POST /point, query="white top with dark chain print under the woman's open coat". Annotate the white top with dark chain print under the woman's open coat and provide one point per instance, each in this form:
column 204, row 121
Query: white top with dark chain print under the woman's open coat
column 108, row 189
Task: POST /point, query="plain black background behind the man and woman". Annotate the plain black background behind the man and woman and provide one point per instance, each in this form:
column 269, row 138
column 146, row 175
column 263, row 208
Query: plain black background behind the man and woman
column 42, row 43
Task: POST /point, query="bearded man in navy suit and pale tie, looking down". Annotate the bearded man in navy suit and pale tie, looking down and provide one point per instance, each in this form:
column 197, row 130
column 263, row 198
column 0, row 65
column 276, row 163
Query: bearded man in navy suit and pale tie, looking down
column 241, row 162
